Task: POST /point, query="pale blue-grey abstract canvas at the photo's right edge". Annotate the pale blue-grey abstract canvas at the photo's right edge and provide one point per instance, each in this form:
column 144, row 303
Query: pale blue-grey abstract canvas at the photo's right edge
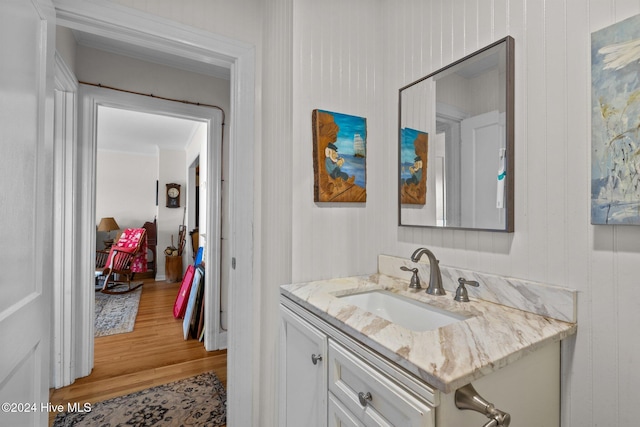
column 615, row 123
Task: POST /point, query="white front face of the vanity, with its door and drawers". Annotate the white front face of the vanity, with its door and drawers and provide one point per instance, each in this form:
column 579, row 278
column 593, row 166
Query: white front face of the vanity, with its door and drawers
column 346, row 386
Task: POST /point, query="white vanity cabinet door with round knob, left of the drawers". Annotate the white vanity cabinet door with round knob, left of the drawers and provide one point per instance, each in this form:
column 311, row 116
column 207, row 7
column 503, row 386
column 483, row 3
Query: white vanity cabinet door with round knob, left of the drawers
column 303, row 382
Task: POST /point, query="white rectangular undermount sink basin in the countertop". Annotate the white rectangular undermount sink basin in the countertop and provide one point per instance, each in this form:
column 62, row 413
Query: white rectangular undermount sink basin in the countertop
column 402, row 311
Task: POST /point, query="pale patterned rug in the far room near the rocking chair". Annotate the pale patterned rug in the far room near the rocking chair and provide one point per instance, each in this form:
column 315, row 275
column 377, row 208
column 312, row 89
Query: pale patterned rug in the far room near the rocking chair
column 116, row 314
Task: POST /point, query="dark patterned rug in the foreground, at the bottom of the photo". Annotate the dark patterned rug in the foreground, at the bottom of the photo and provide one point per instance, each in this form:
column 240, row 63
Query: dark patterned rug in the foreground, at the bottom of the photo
column 196, row 401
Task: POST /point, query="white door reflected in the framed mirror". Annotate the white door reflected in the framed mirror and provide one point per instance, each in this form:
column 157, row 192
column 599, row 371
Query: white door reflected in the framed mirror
column 482, row 140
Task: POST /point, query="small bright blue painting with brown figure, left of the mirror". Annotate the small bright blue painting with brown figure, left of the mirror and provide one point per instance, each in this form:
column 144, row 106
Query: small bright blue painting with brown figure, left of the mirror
column 339, row 157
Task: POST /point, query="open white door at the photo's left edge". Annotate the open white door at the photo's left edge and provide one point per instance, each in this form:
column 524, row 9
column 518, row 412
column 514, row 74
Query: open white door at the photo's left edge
column 27, row 34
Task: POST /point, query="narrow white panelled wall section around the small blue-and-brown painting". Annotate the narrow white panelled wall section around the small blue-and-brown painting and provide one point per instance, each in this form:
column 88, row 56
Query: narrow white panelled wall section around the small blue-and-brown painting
column 338, row 52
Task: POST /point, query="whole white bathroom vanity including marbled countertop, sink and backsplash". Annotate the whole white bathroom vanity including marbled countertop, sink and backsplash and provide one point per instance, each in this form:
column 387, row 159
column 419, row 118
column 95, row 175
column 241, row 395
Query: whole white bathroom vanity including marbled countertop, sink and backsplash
column 343, row 365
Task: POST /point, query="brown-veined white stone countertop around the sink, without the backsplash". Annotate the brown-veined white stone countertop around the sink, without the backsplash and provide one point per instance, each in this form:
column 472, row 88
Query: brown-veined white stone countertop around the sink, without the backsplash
column 447, row 358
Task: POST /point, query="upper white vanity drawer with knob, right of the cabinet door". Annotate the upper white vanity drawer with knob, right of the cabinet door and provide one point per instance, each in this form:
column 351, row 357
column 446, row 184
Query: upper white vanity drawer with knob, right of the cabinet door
column 370, row 395
